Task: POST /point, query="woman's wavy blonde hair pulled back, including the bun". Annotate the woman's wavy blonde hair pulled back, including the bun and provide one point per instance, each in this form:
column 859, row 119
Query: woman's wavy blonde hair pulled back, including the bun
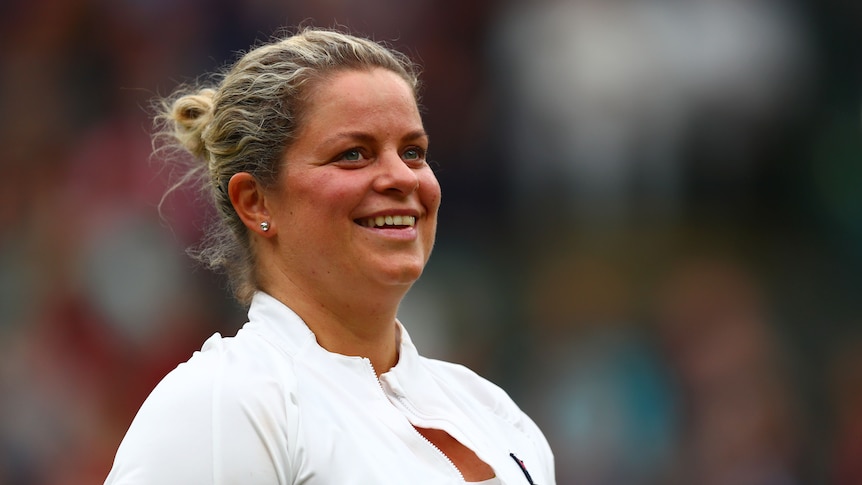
column 246, row 118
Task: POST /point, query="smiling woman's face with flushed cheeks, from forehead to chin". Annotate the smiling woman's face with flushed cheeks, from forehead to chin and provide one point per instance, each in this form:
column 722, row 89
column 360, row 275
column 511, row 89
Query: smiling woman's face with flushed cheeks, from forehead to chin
column 356, row 203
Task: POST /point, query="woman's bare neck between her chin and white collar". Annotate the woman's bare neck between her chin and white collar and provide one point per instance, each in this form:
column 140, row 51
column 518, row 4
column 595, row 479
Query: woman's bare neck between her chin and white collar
column 363, row 327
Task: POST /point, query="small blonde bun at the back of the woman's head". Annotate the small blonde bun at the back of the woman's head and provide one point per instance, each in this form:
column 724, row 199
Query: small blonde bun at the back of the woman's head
column 192, row 114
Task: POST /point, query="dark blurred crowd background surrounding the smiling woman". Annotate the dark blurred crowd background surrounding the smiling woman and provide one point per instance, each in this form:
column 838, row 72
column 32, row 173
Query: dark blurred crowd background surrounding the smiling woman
column 651, row 232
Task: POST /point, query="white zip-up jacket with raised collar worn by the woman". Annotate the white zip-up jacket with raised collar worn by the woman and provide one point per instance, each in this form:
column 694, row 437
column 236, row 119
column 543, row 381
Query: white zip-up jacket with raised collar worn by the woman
column 270, row 406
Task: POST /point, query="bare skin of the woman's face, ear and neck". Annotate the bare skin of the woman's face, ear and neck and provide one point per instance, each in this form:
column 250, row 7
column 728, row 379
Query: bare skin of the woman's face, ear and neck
column 360, row 153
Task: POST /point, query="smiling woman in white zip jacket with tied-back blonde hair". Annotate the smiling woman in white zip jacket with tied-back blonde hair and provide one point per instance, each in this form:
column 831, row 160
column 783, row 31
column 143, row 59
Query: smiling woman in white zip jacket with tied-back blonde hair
column 314, row 151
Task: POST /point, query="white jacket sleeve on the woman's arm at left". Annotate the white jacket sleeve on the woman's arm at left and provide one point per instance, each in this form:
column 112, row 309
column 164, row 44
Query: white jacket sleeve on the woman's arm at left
column 209, row 421
